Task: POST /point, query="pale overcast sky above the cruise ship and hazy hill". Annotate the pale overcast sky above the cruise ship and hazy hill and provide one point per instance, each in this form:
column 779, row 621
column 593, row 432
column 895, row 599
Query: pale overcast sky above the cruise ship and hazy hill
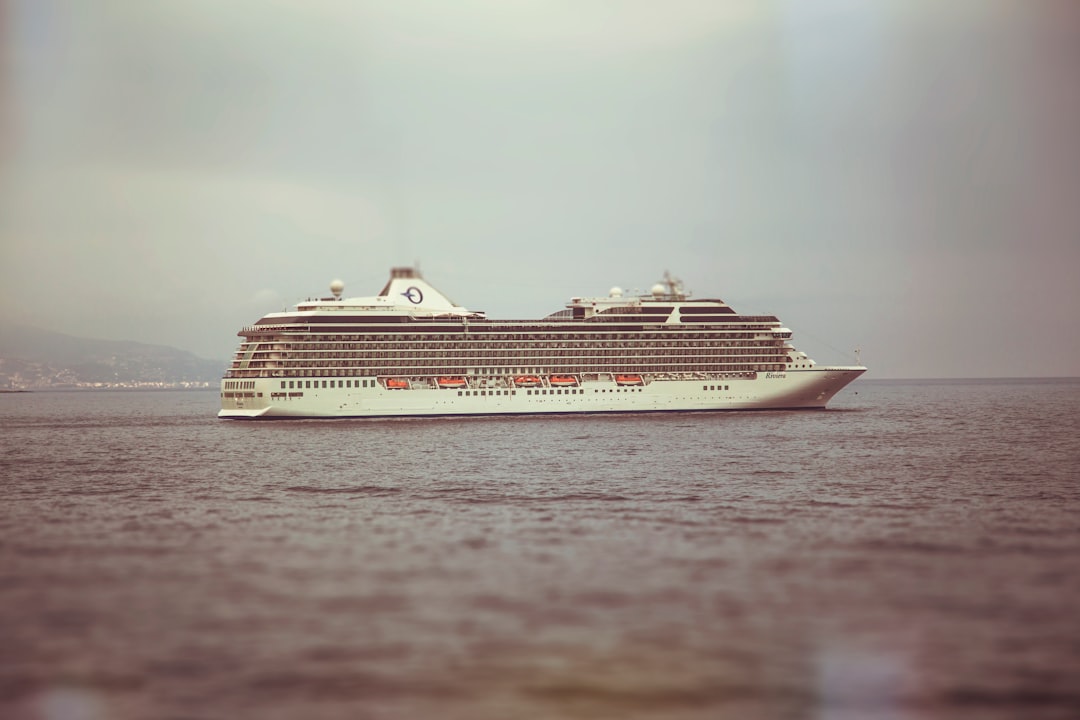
column 900, row 176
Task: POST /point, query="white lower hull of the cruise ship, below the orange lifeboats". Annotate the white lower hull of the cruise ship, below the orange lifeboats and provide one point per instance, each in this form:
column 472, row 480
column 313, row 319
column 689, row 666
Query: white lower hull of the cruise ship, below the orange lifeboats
column 273, row 399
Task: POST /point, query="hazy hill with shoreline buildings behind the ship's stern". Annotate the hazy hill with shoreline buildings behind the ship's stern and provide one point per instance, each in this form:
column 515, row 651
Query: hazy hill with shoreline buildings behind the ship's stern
column 35, row 359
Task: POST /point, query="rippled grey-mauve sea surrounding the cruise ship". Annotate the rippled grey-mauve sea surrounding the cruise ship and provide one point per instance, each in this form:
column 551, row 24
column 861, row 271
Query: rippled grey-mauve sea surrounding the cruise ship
column 911, row 553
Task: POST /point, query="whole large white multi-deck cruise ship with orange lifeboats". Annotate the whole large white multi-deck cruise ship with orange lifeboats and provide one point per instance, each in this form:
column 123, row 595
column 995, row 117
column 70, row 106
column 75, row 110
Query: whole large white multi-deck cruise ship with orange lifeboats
column 411, row 351
